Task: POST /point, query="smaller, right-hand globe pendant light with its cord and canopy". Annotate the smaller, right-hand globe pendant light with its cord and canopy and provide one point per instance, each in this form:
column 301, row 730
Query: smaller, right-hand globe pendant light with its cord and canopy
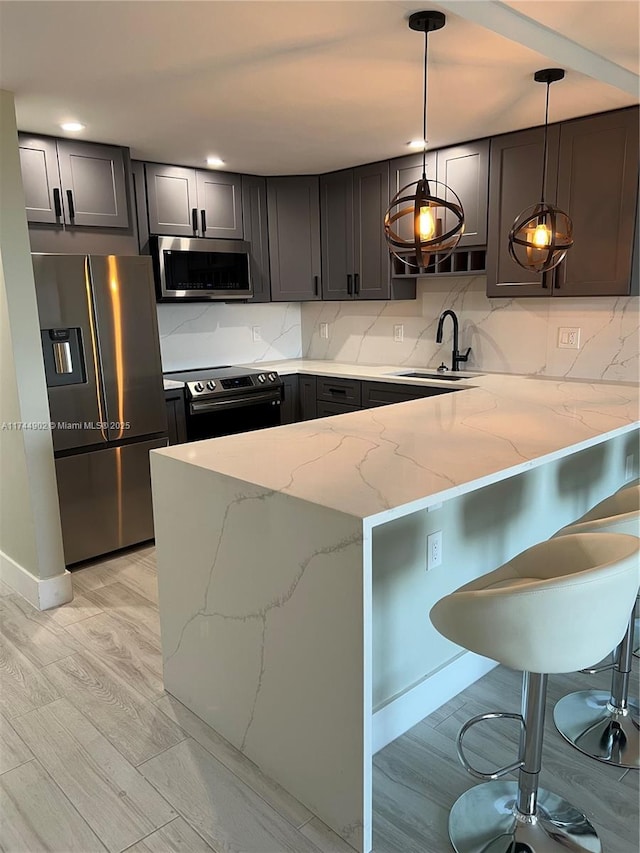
column 542, row 234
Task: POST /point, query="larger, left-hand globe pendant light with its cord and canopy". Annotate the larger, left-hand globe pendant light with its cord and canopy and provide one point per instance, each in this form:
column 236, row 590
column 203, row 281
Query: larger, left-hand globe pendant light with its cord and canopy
column 425, row 217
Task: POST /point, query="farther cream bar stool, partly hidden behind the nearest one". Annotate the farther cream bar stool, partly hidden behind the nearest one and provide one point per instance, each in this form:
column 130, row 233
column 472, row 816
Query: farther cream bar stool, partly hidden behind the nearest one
column 606, row 725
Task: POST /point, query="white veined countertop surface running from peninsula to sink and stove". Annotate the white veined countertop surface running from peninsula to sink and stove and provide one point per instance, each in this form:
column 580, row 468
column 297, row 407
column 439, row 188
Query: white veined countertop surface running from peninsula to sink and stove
column 390, row 460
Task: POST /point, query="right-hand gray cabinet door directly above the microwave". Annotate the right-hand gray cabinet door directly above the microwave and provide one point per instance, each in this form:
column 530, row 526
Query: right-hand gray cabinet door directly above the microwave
column 219, row 204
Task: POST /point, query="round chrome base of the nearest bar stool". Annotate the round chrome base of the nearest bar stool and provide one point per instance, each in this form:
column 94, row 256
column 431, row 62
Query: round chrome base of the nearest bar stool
column 484, row 820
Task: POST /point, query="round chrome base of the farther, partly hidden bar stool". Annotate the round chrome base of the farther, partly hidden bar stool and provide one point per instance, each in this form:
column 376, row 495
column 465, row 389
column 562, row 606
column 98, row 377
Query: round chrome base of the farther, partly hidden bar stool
column 588, row 721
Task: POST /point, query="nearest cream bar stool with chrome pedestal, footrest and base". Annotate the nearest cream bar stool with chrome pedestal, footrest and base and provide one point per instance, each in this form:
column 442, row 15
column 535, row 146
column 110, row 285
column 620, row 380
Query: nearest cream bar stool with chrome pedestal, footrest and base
column 535, row 614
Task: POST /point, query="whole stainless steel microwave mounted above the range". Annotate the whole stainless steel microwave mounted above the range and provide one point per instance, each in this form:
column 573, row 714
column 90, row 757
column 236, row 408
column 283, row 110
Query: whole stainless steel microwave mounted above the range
column 200, row 270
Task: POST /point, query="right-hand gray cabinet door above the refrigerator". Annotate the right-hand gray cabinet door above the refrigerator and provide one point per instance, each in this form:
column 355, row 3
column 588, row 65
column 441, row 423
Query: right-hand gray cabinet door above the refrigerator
column 94, row 184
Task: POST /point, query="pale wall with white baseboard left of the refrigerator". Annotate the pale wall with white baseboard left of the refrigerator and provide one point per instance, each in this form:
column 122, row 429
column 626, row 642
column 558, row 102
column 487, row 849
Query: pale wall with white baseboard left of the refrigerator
column 30, row 536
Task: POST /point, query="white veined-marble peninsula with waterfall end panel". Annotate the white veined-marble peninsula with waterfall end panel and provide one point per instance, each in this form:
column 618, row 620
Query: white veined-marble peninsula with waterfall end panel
column 291, row 562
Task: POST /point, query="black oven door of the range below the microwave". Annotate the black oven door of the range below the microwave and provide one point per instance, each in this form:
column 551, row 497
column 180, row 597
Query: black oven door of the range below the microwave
column 227, row 416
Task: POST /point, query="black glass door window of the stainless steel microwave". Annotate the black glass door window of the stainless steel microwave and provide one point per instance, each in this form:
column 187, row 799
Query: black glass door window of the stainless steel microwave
column 206, row 271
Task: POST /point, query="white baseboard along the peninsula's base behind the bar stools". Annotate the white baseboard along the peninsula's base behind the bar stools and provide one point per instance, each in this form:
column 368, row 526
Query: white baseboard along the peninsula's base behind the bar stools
column 400, row 714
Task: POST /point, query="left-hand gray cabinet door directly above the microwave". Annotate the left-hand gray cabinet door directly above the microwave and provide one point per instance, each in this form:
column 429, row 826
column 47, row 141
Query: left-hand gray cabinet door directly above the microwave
column 172, row 200
